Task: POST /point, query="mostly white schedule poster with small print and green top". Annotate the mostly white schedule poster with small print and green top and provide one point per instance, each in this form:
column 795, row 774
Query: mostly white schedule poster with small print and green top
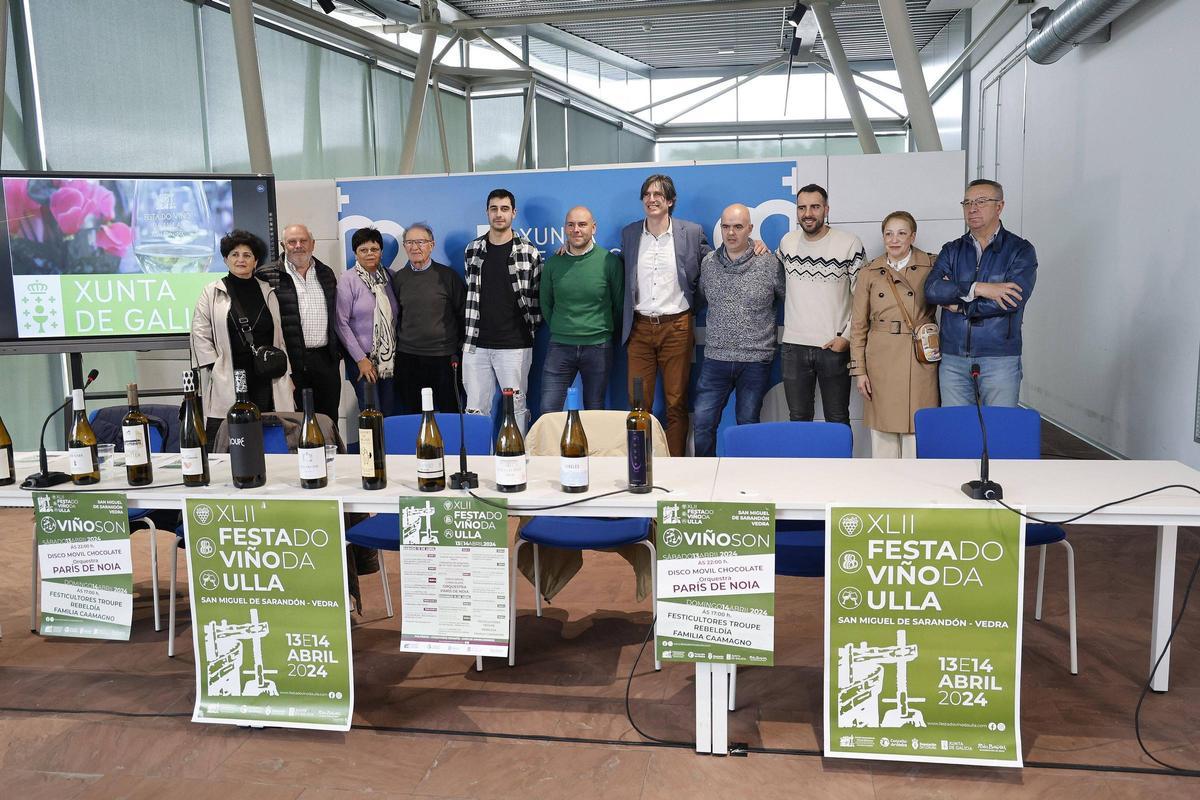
column 454, row 564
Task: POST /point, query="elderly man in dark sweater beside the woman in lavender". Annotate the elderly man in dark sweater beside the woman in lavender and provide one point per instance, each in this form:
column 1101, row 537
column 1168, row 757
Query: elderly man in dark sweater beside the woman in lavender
column 430, row 300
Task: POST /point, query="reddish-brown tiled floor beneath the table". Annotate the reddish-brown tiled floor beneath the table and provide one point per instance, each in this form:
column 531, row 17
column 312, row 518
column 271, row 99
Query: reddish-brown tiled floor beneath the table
column 571, row 683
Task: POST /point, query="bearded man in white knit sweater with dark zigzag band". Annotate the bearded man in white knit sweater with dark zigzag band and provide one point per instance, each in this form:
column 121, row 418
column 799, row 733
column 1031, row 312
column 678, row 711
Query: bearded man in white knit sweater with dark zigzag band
column 821, row 266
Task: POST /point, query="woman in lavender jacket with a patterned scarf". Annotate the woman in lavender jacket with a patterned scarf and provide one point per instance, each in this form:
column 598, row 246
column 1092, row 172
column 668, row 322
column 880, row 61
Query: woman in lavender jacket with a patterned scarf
column 367, row 320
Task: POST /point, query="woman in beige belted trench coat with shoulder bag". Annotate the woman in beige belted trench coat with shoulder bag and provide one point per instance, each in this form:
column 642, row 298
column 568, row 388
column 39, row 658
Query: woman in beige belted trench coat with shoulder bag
column 891, row 380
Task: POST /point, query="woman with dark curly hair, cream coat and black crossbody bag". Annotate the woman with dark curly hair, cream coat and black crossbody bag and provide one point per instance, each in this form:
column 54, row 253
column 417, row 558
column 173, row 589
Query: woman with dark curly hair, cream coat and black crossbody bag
column 219, row 345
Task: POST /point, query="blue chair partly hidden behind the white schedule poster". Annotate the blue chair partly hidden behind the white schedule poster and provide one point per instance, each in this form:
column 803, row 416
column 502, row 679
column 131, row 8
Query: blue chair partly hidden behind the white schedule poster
column 382, row 532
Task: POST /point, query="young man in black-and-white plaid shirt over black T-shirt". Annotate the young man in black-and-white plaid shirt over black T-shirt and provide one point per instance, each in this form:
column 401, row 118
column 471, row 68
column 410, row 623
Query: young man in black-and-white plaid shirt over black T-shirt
column 501, row 322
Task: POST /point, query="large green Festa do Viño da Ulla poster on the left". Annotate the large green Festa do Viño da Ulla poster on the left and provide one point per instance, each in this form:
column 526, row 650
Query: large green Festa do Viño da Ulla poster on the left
column 271, row 617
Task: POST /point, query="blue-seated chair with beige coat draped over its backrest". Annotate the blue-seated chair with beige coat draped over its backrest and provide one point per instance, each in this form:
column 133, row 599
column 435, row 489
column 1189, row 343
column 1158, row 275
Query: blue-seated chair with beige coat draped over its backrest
column 607, row 434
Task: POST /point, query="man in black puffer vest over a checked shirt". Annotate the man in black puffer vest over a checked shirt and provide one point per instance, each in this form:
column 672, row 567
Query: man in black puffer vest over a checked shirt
column 307, row 291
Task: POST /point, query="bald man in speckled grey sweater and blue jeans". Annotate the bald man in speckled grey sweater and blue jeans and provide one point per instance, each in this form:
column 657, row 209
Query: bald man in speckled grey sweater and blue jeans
column 742, row 291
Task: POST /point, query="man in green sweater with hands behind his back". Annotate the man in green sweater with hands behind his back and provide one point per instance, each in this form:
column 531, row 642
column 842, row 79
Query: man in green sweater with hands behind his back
column 583, row 296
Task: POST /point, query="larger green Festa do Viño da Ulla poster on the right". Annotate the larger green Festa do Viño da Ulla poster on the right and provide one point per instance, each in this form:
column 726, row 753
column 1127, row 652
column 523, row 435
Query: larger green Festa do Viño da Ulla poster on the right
column 923, row 635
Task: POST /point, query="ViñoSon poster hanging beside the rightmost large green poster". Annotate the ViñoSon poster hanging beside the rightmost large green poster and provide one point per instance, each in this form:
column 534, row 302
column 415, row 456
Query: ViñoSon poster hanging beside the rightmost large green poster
column 717, row 584
